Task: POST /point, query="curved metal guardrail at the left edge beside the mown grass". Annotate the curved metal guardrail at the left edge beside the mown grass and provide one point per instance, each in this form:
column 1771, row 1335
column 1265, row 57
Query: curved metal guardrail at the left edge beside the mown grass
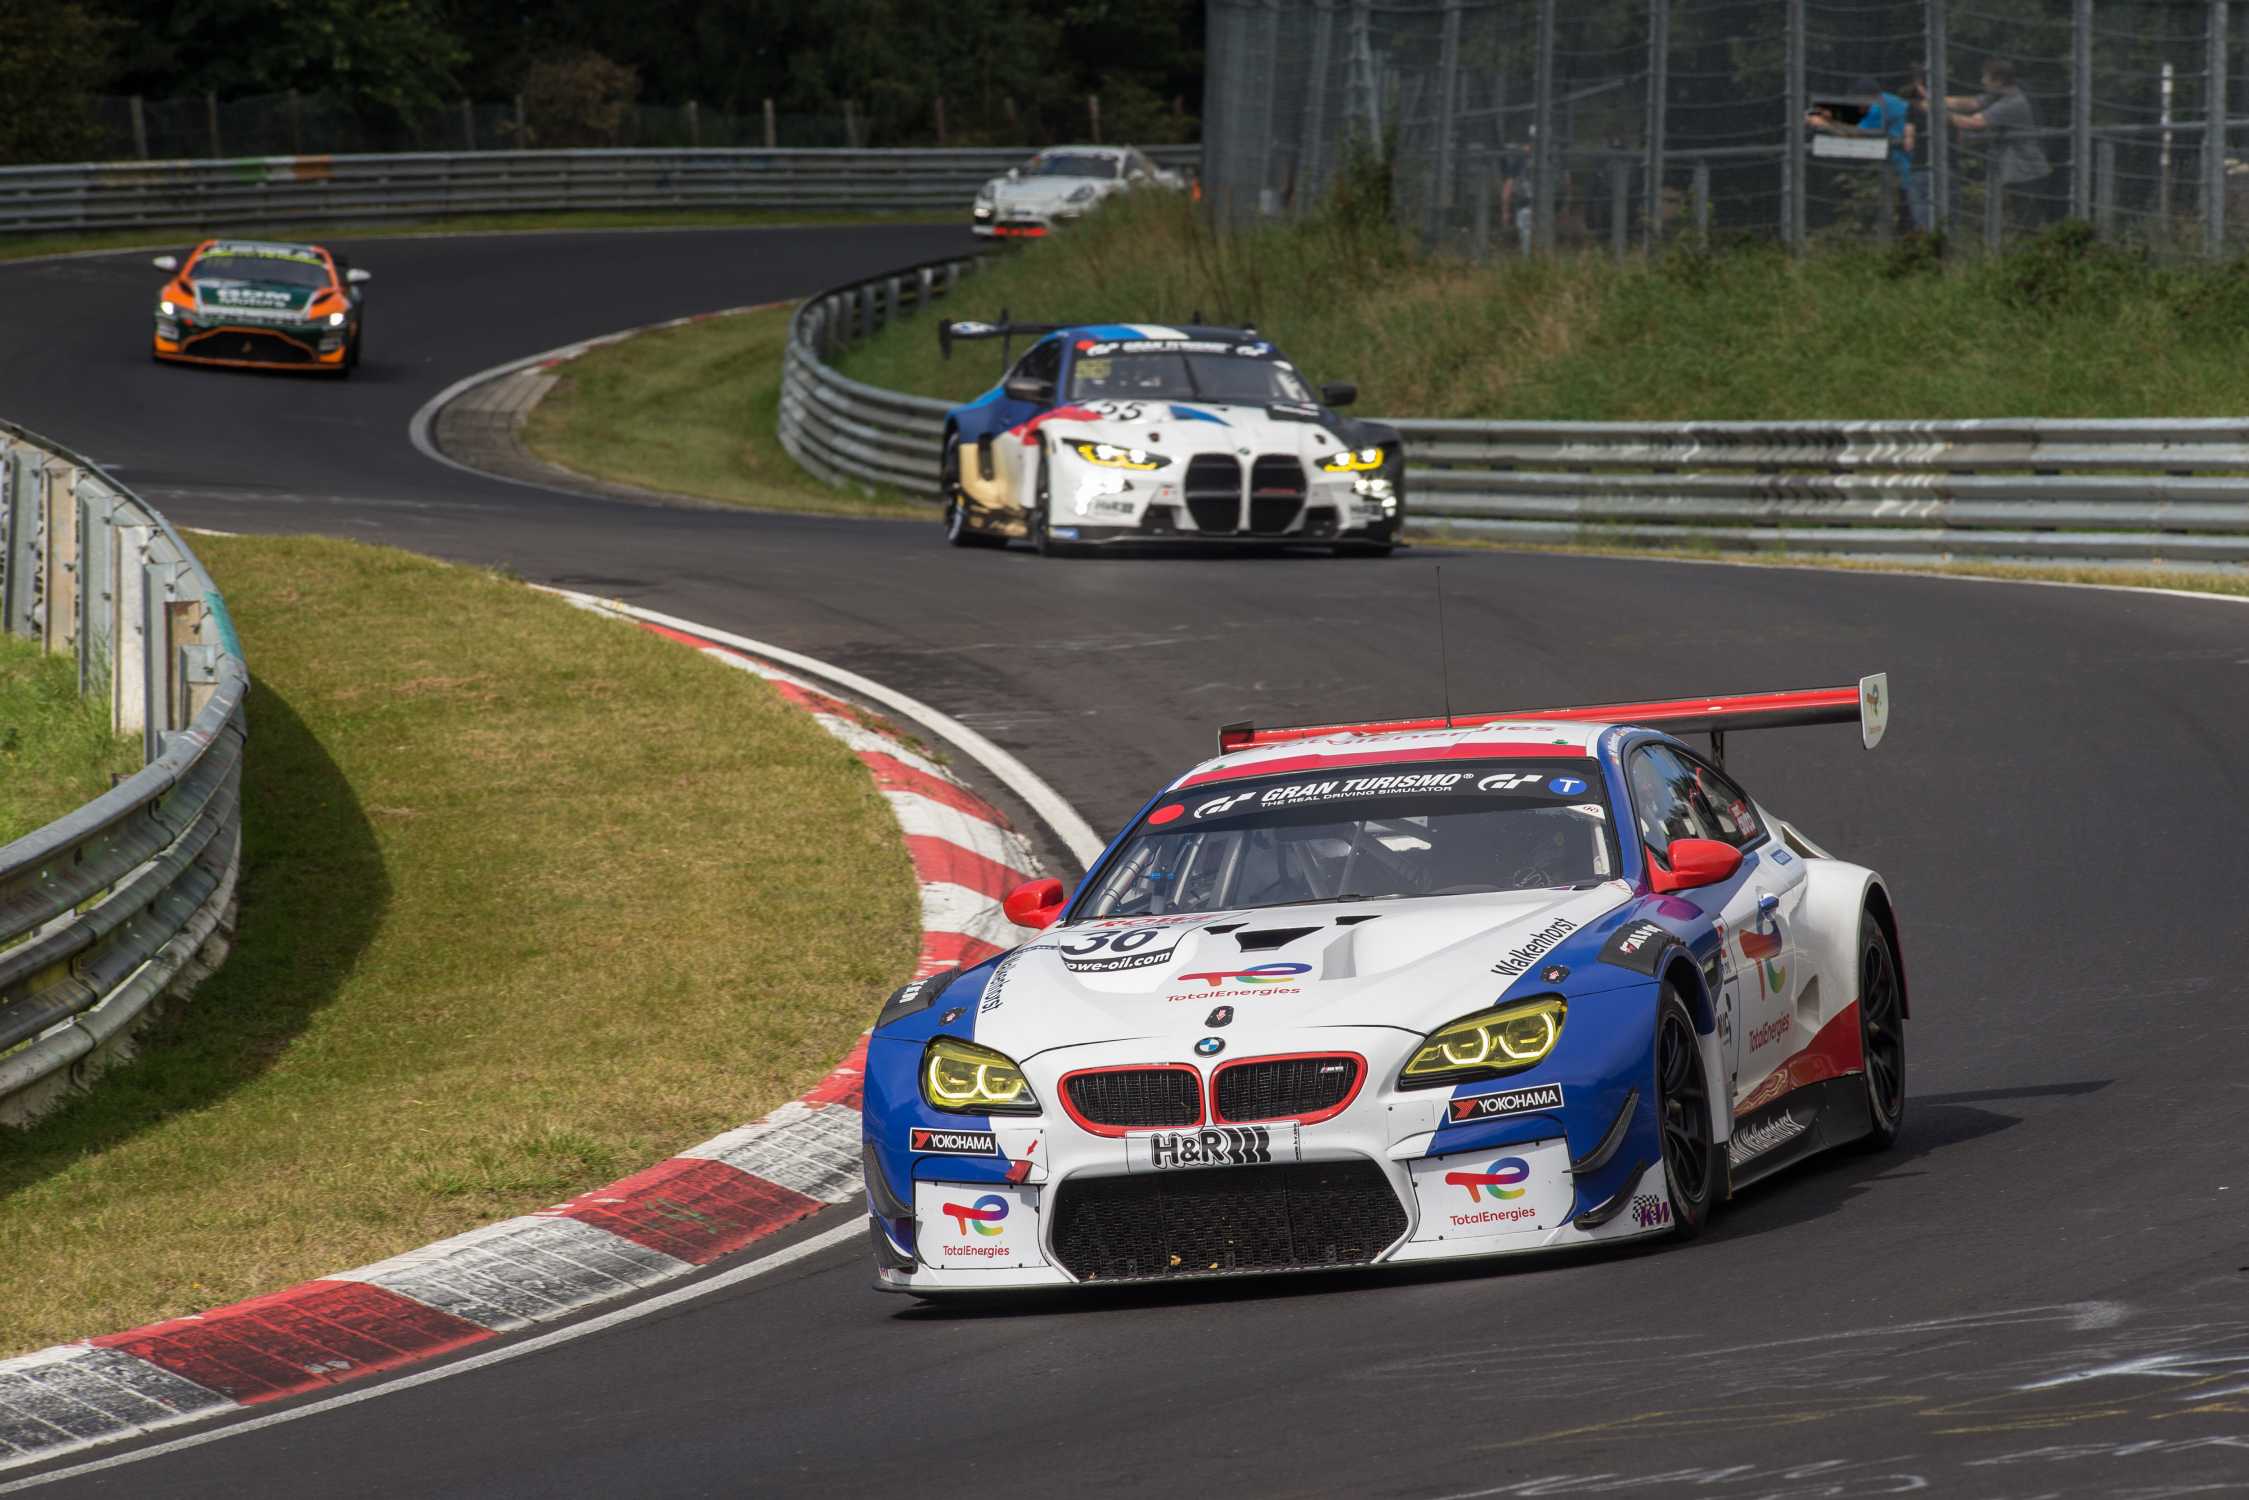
column 116, row 905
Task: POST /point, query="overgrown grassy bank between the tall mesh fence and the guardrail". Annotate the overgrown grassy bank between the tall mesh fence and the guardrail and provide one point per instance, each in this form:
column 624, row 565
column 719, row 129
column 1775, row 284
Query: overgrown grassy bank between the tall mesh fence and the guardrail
column 2059, row 327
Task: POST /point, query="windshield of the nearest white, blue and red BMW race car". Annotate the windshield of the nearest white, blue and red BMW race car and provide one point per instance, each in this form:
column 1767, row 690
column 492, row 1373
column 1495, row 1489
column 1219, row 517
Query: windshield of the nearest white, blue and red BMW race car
column 1396, row 831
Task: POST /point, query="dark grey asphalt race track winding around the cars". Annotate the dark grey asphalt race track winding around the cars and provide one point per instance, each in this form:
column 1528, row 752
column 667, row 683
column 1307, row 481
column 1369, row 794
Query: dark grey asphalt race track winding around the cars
column 2041, row 1292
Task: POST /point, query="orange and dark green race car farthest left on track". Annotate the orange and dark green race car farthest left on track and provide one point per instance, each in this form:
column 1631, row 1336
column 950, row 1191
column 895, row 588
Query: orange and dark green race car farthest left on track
column 260, row 305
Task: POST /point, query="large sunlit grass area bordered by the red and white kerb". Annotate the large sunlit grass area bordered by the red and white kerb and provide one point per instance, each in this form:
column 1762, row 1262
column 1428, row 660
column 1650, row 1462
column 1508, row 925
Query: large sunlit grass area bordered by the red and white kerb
column 530, row 901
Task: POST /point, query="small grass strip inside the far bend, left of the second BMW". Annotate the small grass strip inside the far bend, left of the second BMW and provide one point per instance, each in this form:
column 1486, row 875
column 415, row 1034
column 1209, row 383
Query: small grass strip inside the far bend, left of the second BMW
column 692, row 410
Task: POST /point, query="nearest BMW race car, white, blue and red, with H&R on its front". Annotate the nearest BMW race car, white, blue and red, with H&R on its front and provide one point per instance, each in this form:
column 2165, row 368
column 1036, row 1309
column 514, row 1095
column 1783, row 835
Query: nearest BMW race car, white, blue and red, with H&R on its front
column 1396, row 993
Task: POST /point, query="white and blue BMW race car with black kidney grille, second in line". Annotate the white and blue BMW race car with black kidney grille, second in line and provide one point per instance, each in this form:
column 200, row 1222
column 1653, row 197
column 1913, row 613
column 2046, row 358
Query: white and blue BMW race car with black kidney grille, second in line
column 1141, row 433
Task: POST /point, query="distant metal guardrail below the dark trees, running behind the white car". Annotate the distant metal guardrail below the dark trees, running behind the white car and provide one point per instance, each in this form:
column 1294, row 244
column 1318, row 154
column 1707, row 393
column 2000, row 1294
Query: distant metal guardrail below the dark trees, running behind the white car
column 442, row 183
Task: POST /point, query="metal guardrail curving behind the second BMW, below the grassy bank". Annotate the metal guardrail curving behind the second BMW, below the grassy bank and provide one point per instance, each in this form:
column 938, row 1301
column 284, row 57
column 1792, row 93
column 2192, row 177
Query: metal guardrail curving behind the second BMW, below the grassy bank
column 2099, row 491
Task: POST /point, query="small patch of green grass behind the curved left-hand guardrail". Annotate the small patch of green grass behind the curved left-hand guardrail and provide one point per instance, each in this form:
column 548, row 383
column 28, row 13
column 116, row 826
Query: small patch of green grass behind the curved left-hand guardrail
column 57, row 750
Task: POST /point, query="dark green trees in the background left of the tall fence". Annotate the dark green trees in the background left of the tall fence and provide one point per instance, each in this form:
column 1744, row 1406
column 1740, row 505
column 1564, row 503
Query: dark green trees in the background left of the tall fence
column 905, row 73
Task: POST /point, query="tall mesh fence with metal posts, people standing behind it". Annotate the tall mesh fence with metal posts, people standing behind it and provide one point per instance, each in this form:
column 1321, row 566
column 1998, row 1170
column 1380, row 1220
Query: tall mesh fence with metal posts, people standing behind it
column 1510, row 127
